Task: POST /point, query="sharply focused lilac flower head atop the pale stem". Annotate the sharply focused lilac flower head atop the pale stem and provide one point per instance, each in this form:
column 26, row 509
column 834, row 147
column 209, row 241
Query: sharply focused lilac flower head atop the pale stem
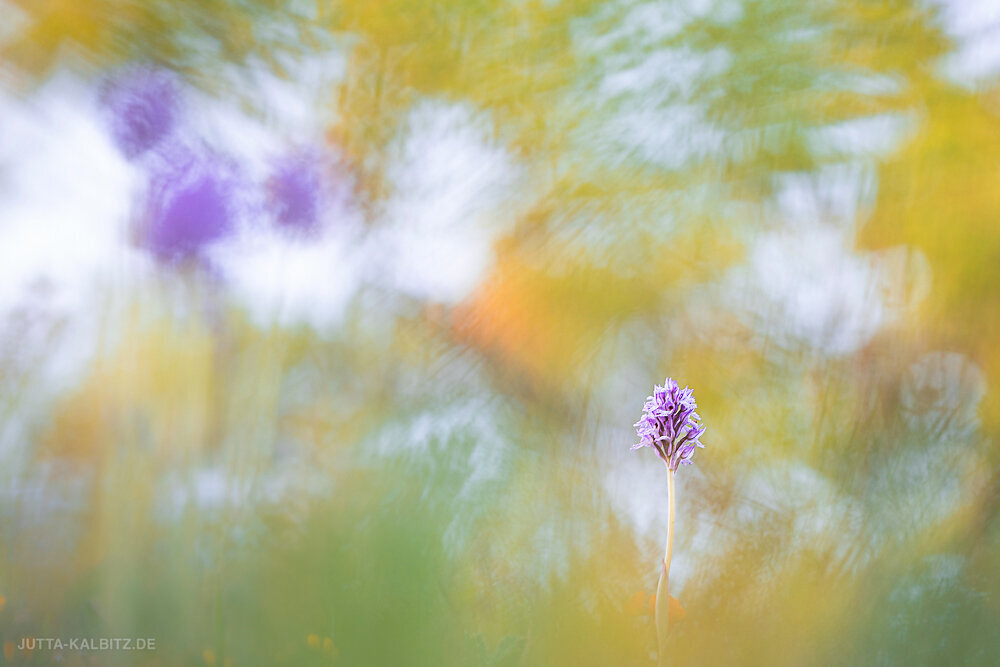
column 670, row 425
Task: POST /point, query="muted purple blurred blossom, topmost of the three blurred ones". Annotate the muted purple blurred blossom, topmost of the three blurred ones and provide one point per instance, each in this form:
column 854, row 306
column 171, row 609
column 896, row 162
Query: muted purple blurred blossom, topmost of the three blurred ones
column 143, row 108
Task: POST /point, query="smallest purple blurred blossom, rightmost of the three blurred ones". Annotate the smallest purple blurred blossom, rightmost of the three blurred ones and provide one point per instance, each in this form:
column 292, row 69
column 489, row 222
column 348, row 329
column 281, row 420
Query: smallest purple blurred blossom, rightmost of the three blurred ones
column 294, row 190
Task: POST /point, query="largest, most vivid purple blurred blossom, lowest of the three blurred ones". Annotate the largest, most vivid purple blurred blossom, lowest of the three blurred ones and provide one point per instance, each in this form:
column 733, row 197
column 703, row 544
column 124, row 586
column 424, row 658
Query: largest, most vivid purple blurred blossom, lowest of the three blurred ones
column 191, row 205
